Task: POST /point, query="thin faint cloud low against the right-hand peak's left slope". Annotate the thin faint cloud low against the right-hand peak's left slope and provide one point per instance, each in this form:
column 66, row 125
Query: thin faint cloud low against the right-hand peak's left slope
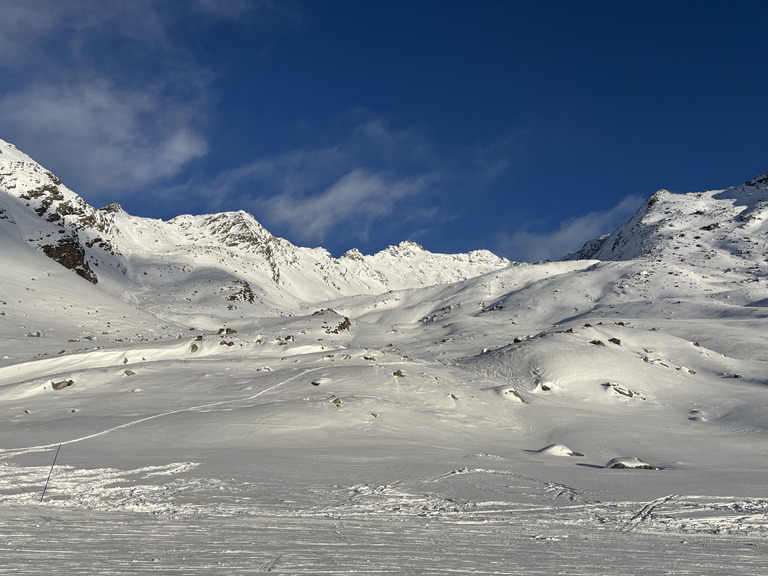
column 530, row 245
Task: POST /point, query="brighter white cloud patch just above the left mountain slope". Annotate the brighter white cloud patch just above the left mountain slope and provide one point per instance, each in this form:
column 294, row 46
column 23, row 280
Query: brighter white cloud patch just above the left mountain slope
column 112, row 139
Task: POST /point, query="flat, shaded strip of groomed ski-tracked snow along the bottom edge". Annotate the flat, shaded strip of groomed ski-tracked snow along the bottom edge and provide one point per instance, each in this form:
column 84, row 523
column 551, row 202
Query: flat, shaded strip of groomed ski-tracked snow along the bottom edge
column 38, row 539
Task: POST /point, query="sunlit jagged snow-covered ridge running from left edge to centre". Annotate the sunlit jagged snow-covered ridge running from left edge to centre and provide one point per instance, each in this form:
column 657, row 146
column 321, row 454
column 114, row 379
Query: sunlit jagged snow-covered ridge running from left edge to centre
column 229, row 254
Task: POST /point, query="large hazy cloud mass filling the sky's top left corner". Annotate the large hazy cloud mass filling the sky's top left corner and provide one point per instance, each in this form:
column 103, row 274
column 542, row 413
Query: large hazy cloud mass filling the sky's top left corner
column 107, row 91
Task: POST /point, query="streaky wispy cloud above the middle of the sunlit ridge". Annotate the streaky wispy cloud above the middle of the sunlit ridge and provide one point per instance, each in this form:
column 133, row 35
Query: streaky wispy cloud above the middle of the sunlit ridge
column 357, row 183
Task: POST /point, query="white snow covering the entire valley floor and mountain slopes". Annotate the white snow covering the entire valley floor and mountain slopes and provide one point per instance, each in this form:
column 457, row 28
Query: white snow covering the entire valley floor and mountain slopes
column 401, row 414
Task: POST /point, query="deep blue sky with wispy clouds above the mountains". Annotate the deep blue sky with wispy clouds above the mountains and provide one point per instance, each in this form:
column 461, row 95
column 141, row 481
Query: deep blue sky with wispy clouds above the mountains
column 525, row 128
